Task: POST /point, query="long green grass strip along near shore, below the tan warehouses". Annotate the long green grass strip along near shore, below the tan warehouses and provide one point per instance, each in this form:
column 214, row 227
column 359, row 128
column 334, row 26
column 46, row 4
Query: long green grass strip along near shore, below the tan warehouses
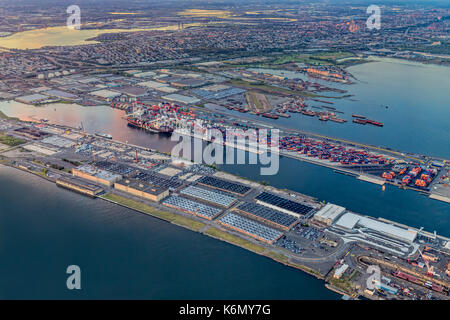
column 165, row 215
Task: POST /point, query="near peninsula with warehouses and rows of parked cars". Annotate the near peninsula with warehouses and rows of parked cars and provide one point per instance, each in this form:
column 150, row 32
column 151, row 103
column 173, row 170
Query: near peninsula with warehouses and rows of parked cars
column 325, row 240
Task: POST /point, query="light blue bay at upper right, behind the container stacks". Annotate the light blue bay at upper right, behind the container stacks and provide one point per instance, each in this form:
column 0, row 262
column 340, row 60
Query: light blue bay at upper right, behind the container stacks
column 417, row 116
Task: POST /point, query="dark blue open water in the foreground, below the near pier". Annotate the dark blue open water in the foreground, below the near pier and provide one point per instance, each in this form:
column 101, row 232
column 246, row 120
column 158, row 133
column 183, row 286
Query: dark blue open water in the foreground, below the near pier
column 123, row 254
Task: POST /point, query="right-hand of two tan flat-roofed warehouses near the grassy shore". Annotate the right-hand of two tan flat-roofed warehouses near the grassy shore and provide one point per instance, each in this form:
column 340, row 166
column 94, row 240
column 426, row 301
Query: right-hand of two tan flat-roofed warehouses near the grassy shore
column 141, row 189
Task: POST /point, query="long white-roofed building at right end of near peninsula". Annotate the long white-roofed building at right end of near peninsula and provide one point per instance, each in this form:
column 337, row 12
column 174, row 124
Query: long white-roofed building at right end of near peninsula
column 351, row 221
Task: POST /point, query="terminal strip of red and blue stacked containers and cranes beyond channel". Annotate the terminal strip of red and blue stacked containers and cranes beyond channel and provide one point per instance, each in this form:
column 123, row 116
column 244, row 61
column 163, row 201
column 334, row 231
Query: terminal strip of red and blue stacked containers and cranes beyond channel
column 368, row 163
